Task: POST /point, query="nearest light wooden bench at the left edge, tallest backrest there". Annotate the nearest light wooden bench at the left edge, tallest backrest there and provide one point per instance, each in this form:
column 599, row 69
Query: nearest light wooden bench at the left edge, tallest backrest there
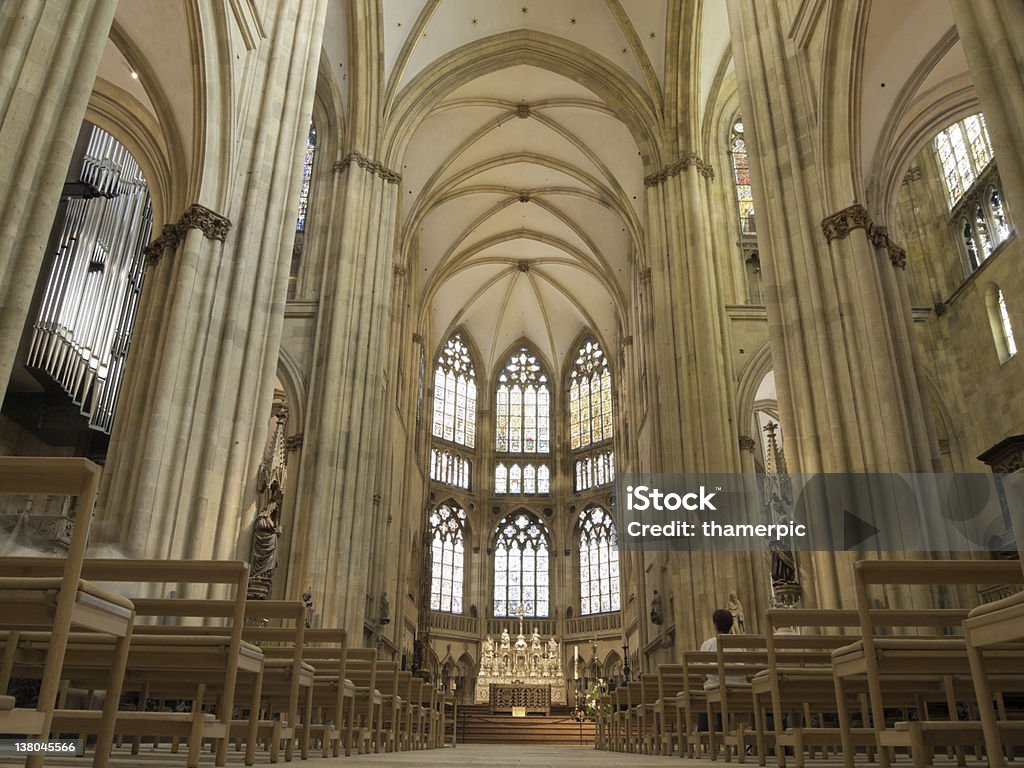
column 59, row 602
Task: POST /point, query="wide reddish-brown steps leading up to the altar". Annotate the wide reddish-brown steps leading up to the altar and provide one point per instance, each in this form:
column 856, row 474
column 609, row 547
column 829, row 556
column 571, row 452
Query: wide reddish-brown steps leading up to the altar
column 479, row 727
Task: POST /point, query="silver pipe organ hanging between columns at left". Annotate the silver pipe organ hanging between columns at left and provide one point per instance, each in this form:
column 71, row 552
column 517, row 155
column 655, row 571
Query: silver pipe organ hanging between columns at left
column 83, row 331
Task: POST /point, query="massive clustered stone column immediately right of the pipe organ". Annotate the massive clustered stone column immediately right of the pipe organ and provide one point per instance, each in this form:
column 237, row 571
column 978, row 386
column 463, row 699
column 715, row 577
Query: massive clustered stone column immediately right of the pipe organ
column 181, row 476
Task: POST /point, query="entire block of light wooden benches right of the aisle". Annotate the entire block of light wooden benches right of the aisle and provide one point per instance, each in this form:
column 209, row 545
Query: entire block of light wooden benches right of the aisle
column 869, row 681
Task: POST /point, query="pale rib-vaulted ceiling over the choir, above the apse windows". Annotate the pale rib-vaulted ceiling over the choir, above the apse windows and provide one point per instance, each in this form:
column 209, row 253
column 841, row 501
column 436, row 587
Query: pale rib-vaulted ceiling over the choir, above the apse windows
column 523, row 203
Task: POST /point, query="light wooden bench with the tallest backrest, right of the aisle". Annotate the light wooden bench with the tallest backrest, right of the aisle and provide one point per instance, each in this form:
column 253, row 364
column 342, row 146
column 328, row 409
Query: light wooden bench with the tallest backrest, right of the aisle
column 876, row 658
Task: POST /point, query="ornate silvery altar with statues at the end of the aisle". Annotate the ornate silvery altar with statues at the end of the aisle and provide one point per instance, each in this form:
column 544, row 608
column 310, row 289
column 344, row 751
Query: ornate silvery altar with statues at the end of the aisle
column 522, row 674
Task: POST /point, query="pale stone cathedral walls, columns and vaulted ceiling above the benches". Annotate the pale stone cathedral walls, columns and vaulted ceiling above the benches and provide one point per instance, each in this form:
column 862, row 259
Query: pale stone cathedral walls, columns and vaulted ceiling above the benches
column 385, row 298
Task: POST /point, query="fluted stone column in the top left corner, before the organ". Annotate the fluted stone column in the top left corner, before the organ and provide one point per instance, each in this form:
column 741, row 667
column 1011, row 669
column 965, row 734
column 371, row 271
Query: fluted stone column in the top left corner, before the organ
column 50, row 55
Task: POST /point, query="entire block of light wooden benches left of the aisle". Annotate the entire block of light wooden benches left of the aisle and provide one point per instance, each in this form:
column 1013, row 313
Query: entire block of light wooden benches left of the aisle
column 251, row 671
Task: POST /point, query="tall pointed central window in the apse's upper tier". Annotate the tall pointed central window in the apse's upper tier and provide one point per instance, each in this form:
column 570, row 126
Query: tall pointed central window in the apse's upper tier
column 524, row 407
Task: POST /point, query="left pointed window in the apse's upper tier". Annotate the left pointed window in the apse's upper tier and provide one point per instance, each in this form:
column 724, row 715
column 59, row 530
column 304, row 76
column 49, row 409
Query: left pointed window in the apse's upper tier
column 455, row 395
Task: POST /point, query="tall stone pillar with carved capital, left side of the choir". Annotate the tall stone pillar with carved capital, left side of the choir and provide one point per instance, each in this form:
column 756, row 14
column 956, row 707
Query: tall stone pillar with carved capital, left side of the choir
column 348, row 390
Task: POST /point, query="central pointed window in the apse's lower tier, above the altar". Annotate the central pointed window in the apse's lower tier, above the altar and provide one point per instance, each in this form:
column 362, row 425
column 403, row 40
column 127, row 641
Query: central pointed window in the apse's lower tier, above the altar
column 522, row 551
